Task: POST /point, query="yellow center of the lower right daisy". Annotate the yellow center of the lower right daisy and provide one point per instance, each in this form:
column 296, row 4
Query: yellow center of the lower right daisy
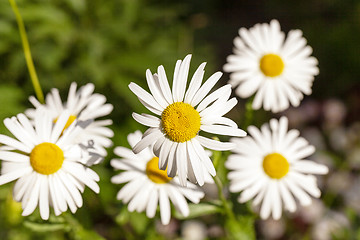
column 275, row 165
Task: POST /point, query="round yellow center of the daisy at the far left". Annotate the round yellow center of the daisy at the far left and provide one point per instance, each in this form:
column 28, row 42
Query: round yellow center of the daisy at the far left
column 46, row 158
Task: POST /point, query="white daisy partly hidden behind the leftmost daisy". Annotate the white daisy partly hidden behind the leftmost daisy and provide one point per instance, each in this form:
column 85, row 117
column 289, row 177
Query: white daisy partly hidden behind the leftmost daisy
column 85, row 106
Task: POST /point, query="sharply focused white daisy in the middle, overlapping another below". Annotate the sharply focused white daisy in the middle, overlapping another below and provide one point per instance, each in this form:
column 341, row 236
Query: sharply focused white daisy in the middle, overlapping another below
column 182, row 115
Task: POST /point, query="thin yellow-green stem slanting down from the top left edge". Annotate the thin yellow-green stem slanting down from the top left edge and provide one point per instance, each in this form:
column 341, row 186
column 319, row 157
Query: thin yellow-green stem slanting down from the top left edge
column 27, row 52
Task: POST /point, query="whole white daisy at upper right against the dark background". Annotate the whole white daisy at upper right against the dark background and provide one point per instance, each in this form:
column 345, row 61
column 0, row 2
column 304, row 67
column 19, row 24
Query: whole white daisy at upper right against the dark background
column 279, row 71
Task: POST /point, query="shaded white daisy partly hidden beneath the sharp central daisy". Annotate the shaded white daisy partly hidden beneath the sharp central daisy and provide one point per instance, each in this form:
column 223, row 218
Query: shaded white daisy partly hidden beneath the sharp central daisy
column 148, row 185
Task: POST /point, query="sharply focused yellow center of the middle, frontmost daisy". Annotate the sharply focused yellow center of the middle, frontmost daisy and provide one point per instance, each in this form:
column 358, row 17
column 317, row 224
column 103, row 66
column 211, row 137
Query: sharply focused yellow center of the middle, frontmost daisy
column 180, row 121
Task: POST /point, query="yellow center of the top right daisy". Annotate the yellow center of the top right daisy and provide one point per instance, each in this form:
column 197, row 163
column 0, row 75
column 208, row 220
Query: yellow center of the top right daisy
column 271, row 65
